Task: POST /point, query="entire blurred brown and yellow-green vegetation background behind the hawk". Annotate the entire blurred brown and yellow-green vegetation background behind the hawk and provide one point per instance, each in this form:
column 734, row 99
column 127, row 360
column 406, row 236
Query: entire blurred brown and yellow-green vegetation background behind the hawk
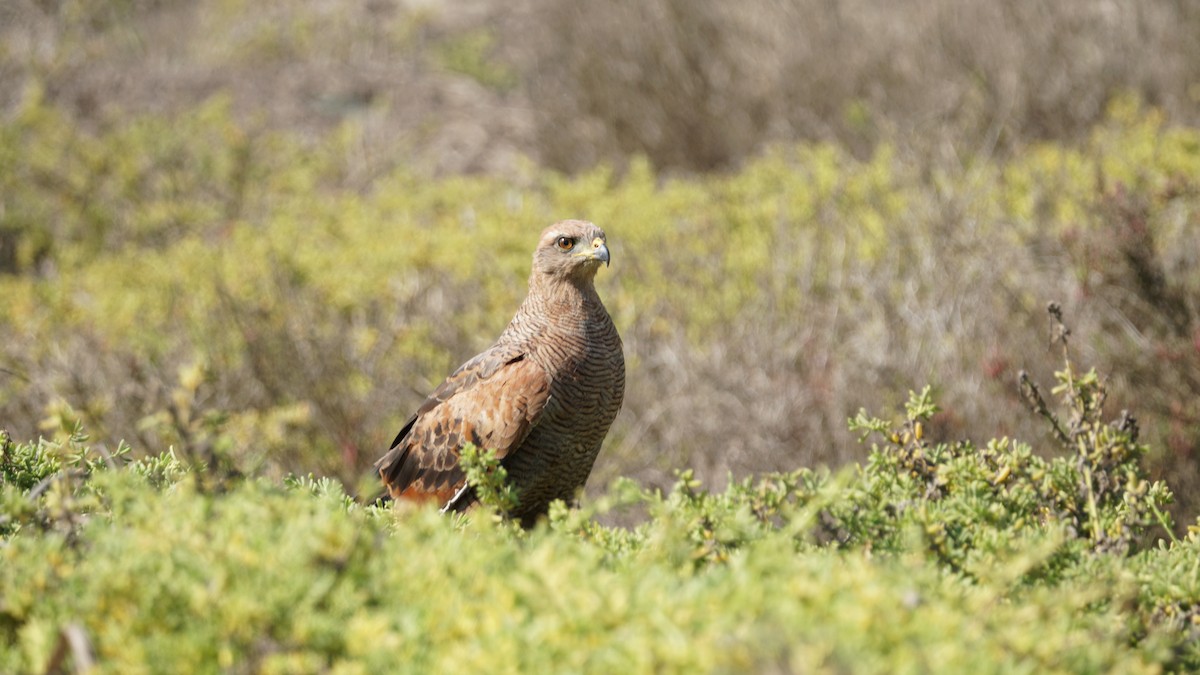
column 262, row 232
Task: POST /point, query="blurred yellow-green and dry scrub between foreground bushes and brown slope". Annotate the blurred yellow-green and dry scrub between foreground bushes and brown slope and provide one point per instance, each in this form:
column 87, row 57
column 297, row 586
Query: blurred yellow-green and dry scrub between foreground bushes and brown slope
column 310, row 310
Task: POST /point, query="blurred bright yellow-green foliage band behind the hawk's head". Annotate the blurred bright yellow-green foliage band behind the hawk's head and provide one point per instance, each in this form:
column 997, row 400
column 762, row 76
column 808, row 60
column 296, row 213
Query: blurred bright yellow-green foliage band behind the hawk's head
column 143, row 224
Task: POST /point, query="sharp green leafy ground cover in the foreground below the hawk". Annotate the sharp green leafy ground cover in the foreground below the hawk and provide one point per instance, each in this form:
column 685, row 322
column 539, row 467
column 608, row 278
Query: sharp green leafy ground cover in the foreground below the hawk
column 950, row 558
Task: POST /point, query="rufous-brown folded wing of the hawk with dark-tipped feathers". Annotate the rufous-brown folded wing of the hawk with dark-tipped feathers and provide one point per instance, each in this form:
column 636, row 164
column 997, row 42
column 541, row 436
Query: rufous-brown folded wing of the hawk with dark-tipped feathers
column 493, row 402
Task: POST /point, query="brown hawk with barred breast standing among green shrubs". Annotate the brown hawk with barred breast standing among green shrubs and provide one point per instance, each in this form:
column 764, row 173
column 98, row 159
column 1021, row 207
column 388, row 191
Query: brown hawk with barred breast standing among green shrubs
column 543, row 397
